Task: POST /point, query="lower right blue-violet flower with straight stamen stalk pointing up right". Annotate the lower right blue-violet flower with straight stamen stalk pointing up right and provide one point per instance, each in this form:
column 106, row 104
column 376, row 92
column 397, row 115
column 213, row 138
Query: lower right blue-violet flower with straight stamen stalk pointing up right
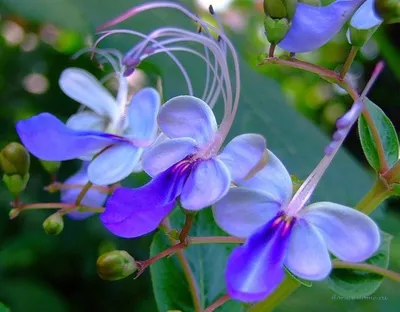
column 282, row 230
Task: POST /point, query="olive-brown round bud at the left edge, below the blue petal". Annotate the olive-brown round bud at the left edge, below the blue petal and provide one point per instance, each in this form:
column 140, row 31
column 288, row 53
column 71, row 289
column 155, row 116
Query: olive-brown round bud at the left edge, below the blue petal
column 15, row 159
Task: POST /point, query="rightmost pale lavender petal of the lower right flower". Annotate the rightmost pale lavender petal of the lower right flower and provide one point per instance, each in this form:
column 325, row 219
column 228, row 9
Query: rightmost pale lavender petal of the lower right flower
column 349, row 234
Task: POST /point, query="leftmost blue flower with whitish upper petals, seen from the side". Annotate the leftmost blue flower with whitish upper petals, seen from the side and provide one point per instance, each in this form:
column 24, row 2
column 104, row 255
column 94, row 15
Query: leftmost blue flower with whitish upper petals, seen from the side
column 116, row 131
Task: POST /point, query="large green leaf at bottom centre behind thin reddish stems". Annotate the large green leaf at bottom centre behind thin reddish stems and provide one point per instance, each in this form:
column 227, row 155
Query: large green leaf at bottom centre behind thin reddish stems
column 206, row 261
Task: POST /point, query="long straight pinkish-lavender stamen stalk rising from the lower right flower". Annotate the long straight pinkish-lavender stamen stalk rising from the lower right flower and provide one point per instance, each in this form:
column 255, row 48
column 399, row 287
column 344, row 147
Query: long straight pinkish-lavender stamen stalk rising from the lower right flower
column 344, row 126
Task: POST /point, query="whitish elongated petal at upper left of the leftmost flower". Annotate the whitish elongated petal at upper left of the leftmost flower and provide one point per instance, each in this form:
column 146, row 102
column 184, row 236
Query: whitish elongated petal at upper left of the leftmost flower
column 84, row 88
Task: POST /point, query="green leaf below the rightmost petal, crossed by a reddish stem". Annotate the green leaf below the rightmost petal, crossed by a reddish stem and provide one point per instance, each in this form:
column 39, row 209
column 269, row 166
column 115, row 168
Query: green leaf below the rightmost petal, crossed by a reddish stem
column 352, row 283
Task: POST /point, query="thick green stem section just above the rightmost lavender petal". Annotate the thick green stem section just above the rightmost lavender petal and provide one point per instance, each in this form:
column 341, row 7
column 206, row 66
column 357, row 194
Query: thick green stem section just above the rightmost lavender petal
column 375, row 196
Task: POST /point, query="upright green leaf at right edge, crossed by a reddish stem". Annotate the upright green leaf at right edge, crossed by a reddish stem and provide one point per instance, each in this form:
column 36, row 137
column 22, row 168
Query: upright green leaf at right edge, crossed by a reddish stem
column 387, row 134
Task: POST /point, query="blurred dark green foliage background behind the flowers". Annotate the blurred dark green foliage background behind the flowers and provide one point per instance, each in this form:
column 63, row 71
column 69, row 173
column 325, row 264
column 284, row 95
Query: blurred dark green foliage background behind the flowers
column 296, row 112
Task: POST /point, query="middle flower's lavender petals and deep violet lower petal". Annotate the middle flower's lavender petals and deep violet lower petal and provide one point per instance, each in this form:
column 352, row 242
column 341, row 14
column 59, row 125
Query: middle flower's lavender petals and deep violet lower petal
column 187, row 166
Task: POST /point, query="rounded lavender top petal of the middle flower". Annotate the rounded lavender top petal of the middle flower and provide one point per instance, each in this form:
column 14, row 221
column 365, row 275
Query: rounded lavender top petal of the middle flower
column 187, row 116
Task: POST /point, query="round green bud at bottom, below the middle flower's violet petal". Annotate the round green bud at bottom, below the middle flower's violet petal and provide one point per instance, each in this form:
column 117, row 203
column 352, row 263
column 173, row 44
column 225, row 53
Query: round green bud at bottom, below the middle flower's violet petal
column 115, row 265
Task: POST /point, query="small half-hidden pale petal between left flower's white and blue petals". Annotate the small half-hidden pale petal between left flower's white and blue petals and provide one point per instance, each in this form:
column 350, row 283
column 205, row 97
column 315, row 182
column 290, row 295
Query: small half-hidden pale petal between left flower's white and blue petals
column 87, row 121
